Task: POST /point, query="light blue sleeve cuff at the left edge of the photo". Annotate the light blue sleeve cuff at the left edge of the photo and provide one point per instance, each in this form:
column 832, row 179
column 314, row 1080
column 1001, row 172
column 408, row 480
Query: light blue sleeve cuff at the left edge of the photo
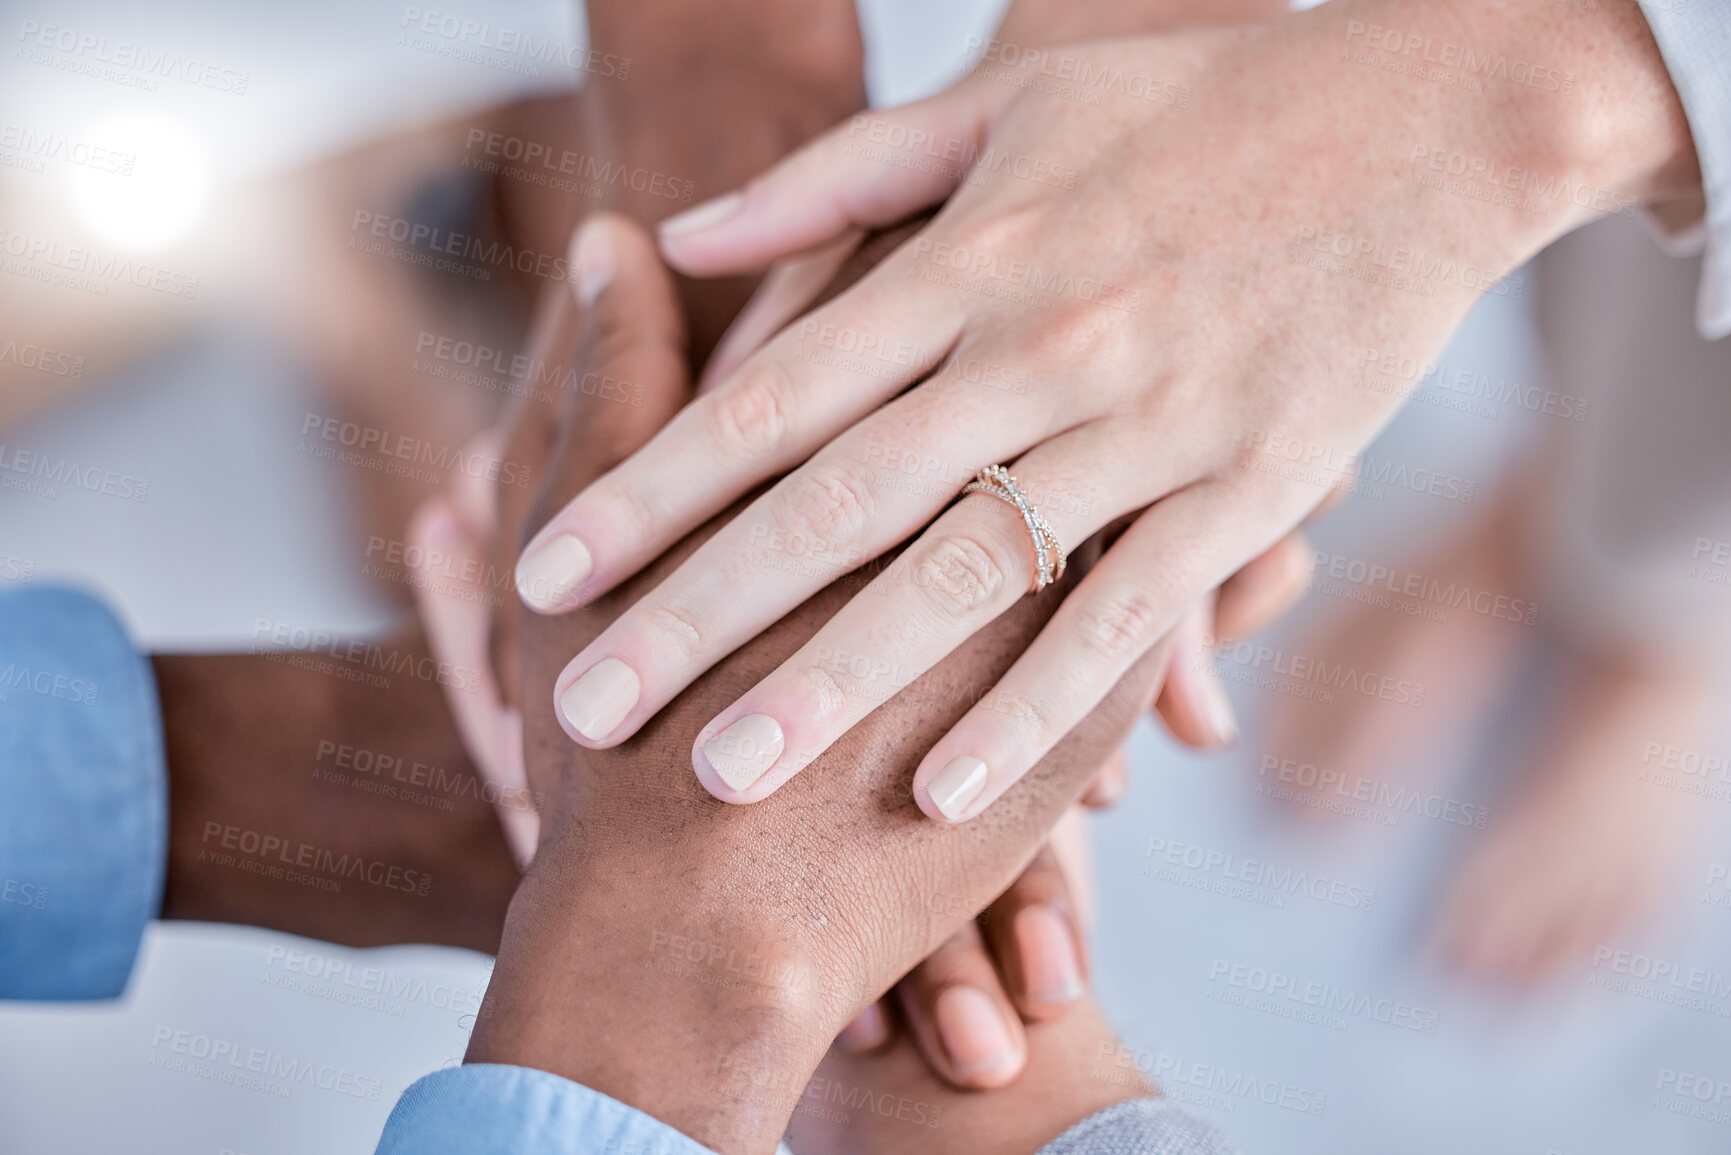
column 84, row 799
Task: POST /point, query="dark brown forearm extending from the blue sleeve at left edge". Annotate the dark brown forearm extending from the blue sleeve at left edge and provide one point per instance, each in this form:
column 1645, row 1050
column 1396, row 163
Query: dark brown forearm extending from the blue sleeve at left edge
column 325, row 808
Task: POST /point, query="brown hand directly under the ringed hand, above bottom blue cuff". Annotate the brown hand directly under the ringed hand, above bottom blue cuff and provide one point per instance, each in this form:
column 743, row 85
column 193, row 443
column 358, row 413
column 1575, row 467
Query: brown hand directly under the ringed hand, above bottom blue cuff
column 697, row 960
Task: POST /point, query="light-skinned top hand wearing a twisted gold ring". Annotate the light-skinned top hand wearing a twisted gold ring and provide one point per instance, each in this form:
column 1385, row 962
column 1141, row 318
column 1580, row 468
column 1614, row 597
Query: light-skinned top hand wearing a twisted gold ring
column 1187, row 278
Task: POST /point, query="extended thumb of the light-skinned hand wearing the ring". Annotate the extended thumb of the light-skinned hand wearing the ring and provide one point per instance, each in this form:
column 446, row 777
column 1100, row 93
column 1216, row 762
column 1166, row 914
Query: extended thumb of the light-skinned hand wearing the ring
column 866, row 174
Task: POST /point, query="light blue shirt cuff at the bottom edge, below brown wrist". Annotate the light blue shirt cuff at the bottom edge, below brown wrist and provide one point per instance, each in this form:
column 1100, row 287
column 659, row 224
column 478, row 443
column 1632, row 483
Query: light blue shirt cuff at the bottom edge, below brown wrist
column 487, row 1109
